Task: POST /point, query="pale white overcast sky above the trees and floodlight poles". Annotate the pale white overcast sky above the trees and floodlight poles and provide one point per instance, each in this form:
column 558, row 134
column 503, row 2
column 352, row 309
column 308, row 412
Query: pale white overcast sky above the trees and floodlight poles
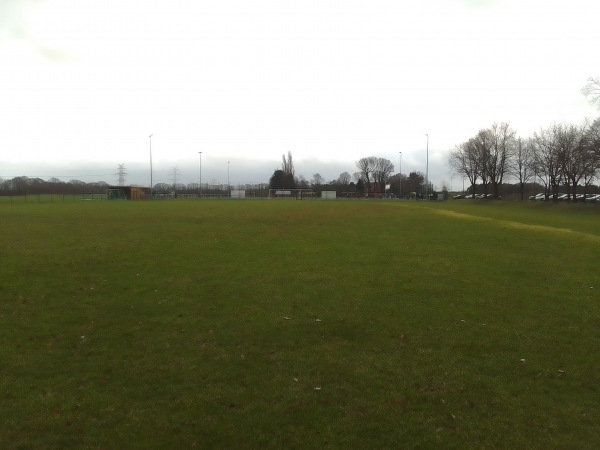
column 83, row 83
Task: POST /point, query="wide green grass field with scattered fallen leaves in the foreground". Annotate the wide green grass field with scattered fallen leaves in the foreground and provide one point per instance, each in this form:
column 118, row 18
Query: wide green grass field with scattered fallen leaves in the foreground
column 299, row 324
